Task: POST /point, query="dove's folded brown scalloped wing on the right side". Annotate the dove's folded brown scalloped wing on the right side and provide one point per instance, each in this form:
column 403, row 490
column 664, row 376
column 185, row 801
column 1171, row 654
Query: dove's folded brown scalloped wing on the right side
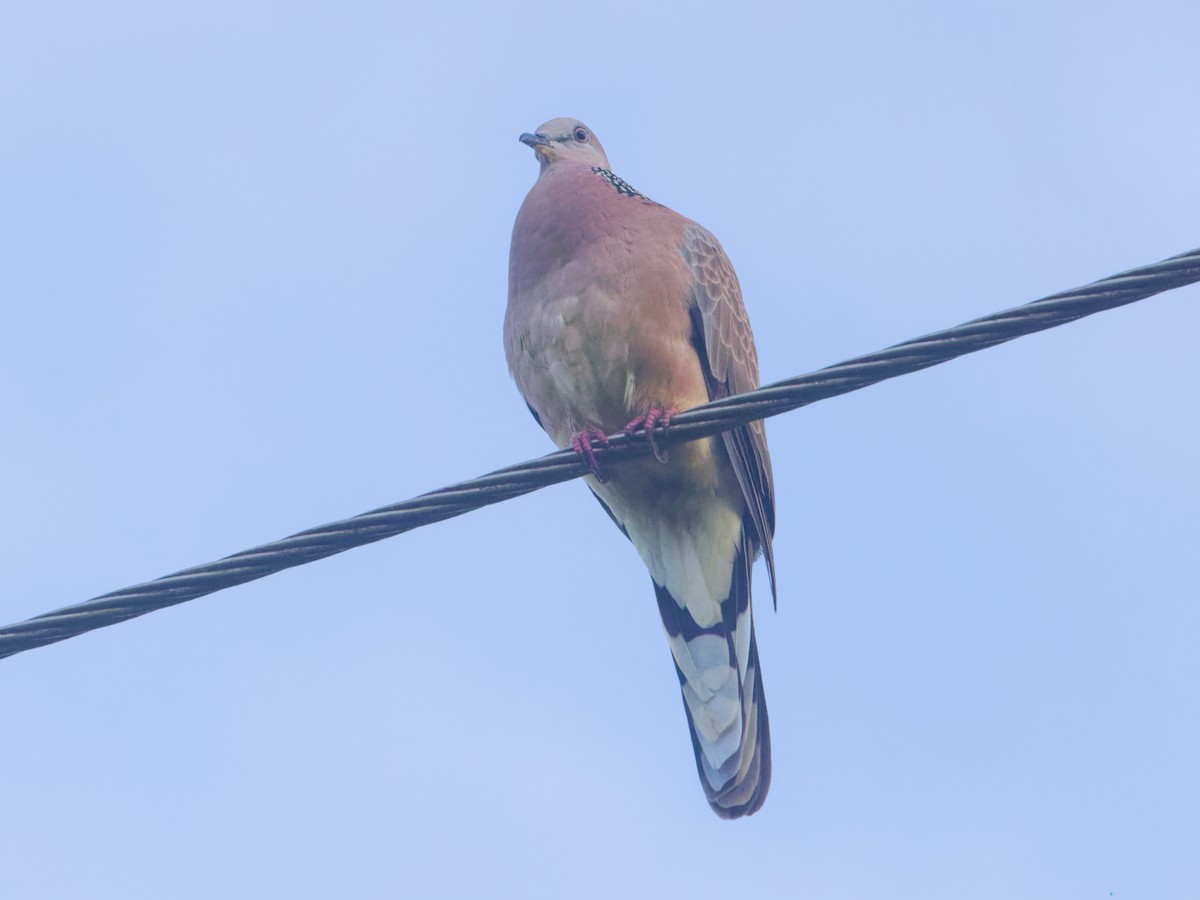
column 723, row 338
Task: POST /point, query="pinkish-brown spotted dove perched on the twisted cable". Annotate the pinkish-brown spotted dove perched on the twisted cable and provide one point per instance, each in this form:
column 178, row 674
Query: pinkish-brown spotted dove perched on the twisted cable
column 621, row 314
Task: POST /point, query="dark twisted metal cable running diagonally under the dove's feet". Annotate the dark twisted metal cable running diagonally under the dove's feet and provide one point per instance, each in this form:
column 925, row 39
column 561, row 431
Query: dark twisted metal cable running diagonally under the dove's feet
column 515, row 481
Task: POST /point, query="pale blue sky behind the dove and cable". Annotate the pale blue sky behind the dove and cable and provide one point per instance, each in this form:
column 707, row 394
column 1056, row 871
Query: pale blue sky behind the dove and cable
column 254, row 277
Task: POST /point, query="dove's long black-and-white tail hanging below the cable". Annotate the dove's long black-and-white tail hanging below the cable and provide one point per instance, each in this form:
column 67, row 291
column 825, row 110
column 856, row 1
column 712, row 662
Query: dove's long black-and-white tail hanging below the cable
column 723, row 695
